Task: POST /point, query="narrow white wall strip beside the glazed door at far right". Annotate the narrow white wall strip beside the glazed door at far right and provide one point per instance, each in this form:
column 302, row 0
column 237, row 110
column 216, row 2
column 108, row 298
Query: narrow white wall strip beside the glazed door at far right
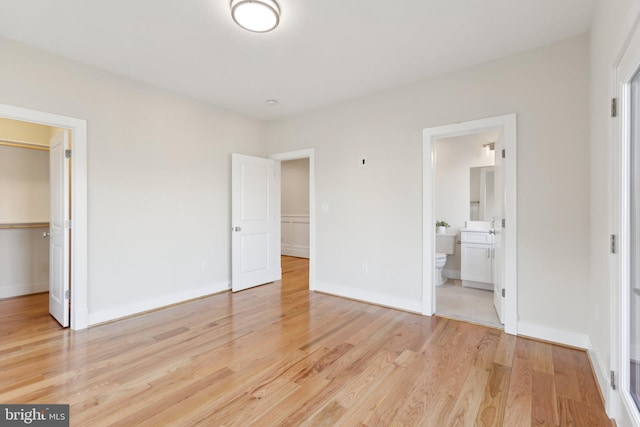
column 606, row 35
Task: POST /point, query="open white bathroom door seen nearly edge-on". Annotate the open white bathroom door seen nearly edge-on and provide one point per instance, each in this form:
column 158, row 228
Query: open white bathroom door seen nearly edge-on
column 498, row 247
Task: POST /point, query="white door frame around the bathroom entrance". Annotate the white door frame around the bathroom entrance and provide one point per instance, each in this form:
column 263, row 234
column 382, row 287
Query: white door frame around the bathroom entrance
column 507, row 124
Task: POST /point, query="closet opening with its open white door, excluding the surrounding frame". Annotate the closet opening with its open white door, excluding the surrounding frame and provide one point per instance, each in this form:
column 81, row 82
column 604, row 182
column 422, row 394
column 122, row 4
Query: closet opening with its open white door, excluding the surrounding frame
column 34, row 213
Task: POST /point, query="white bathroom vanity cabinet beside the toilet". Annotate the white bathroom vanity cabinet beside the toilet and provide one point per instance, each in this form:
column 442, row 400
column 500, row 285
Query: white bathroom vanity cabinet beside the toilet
column 477, row 259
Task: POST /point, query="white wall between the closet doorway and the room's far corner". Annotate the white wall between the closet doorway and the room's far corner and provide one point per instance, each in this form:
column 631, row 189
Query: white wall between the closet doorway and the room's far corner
column 158, row 179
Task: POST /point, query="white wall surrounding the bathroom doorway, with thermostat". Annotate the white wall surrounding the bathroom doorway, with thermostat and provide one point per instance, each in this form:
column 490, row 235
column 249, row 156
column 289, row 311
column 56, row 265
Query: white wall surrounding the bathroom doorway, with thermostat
column 375, row 212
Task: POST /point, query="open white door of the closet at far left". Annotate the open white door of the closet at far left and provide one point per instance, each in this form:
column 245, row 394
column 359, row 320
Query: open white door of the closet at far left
column 59, row 223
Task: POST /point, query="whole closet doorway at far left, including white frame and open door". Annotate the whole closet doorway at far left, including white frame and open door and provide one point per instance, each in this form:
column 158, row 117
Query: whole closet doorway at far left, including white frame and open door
column 39, row 207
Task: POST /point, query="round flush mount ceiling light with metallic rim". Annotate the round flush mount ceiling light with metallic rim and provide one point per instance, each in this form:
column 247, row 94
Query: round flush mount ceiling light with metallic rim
column 259, row 16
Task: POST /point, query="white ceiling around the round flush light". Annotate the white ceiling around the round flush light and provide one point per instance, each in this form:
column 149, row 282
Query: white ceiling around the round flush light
column 324, row 51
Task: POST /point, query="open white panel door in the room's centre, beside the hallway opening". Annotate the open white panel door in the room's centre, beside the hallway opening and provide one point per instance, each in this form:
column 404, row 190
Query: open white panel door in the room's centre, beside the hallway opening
column 255, row 216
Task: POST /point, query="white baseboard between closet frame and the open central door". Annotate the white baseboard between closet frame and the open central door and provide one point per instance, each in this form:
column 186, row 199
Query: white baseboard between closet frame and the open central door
column 154, row 303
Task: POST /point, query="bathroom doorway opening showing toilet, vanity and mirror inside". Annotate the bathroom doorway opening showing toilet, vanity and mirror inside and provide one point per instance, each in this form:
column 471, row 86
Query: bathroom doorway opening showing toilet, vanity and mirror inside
column 464, row 200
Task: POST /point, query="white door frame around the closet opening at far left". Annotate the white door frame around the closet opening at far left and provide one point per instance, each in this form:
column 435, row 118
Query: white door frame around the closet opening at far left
column 78, row 273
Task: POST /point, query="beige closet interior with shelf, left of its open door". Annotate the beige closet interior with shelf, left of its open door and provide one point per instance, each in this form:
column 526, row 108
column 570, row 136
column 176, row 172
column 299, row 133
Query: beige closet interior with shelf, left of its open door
column 24, row 208
